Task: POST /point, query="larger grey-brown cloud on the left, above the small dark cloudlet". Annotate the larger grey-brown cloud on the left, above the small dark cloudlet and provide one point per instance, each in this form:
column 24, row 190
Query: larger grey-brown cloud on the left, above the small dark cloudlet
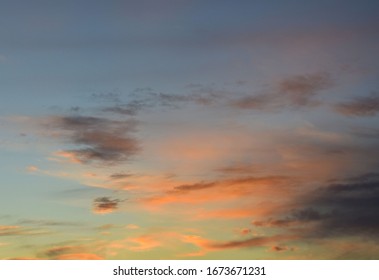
column 102, row 140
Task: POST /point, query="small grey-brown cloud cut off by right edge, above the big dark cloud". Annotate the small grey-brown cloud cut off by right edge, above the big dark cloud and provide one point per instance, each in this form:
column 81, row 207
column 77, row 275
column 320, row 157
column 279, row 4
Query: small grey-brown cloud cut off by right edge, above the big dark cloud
column 365, row 106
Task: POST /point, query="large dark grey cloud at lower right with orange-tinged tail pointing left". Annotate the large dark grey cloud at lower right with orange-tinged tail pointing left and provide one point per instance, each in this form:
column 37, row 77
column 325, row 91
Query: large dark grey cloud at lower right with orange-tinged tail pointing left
column 346, row 208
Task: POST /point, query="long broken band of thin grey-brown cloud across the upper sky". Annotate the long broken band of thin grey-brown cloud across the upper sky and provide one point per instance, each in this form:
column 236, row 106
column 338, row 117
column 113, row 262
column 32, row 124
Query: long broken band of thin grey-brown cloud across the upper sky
column 294, row 91
